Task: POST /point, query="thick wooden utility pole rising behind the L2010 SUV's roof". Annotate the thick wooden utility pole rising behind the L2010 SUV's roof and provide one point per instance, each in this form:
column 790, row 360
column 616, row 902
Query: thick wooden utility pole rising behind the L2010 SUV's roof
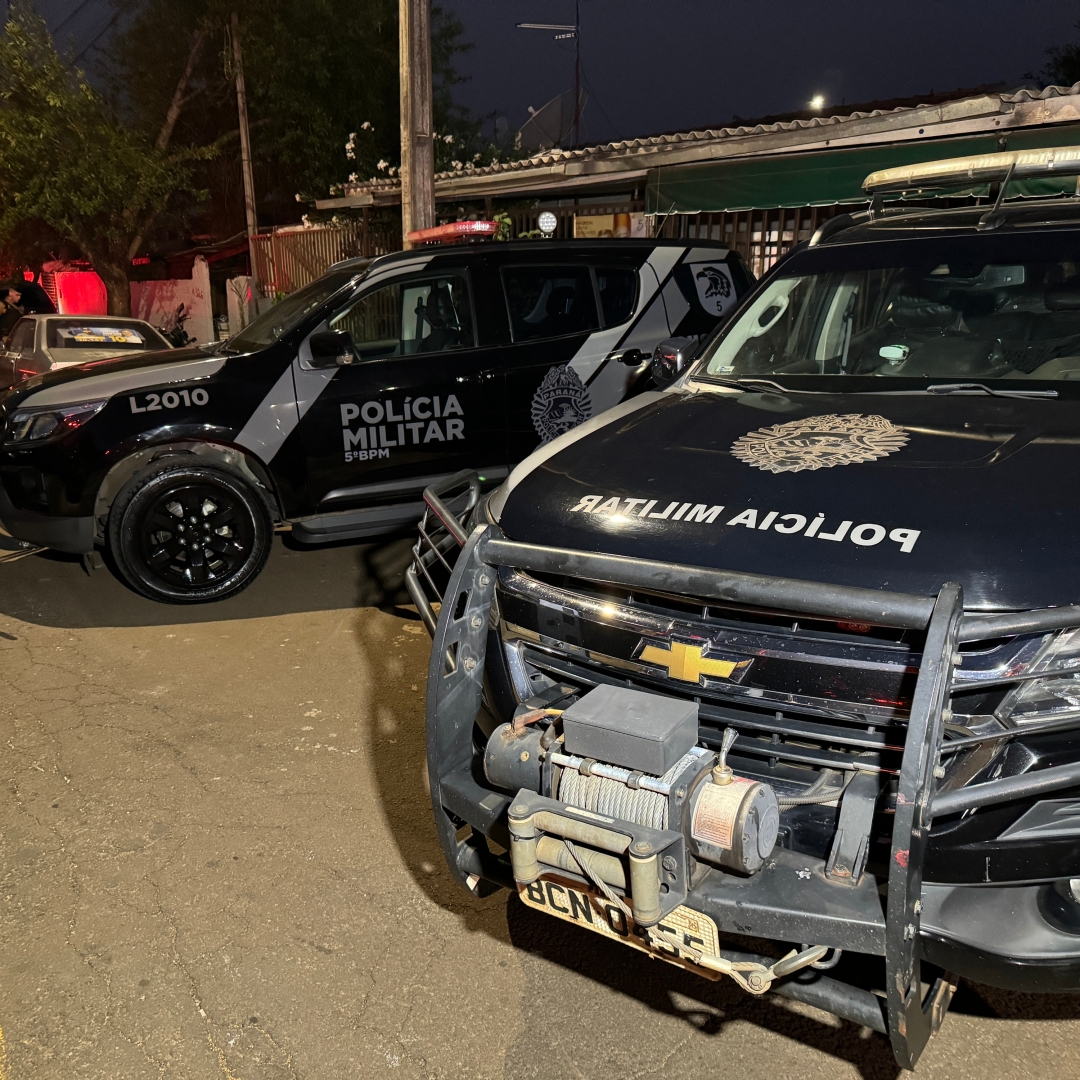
column 418, row 152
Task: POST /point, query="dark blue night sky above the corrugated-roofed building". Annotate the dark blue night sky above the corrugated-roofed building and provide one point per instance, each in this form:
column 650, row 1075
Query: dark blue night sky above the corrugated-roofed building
column 672, row 65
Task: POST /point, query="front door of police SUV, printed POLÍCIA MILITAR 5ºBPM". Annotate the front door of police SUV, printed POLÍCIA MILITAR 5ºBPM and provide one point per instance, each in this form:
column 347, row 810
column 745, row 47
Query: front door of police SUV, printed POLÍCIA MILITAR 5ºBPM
column 422, row 400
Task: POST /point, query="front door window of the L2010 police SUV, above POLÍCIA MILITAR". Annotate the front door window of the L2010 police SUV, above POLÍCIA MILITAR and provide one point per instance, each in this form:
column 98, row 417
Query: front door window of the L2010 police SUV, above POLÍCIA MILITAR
column 415, row 316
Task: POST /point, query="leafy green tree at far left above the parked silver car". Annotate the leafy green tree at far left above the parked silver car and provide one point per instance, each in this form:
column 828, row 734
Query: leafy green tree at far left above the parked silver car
column 71, row 163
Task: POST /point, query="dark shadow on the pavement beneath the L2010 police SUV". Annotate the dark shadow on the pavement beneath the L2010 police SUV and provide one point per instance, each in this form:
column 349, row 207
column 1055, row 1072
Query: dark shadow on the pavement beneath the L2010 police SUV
column 52, row 589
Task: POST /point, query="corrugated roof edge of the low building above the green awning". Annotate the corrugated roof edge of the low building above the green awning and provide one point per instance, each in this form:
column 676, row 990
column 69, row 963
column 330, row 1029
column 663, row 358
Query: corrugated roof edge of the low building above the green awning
column 629, row 161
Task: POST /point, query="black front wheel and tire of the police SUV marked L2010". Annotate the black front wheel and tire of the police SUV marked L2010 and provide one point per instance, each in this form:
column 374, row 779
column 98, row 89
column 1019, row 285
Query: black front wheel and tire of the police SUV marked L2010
column 156, row 517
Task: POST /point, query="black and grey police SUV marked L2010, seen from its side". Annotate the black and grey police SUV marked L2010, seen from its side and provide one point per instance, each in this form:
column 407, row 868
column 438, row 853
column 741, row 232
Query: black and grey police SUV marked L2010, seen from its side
column 334, row 410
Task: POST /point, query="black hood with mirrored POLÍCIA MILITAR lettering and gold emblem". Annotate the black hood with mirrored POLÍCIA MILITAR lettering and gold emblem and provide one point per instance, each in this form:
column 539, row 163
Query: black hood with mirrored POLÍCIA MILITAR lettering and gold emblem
column 977, row 490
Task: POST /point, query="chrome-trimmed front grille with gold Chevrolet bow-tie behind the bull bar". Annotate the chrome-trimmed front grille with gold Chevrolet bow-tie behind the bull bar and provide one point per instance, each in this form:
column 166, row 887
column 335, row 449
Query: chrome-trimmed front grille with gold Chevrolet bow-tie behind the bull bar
column 817, row 694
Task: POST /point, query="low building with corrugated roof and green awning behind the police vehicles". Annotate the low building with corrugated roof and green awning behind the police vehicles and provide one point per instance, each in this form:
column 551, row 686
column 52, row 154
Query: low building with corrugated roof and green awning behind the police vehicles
column 764, row 186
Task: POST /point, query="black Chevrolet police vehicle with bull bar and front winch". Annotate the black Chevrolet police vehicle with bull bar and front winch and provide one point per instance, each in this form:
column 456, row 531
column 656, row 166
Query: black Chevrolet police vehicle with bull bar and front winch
column 776, row 674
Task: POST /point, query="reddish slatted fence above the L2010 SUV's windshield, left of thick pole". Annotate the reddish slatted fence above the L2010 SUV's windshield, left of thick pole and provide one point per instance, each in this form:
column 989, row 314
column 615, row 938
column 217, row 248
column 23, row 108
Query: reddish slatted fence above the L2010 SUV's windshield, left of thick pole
column 285, row 262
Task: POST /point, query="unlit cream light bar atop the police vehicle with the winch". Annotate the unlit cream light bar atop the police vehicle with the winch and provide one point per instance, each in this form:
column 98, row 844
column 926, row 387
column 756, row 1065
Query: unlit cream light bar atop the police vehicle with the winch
column 980, row 169
